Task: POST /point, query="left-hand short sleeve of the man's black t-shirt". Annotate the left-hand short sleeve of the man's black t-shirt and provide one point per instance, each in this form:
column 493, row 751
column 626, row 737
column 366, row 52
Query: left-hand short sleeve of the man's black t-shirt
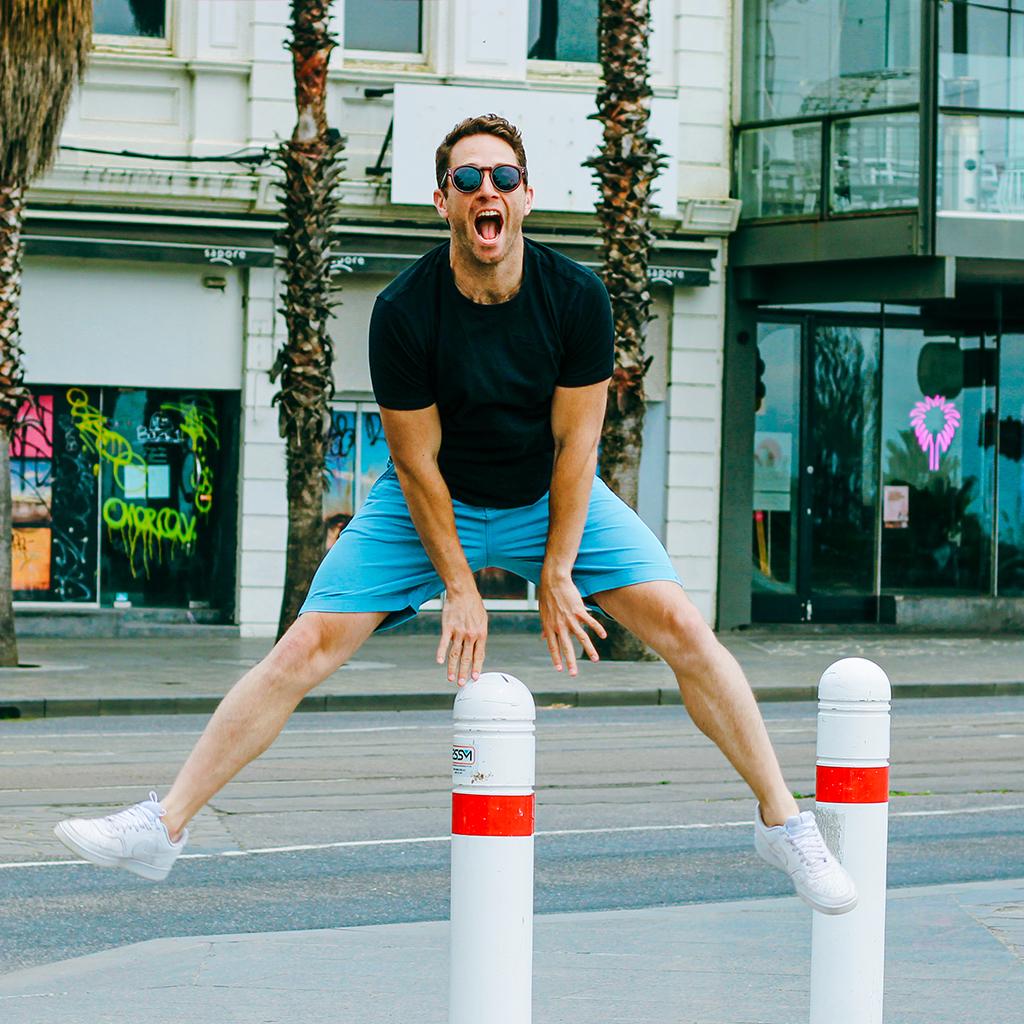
column 399, row 367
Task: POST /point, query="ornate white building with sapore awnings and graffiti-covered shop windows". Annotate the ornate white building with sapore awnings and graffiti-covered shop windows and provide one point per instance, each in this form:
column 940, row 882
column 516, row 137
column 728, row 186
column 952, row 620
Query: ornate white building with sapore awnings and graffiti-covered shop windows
column 148, row 470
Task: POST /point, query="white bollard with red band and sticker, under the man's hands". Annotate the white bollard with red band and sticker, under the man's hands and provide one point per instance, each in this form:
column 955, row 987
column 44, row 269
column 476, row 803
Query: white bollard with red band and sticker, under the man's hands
column 493, row 854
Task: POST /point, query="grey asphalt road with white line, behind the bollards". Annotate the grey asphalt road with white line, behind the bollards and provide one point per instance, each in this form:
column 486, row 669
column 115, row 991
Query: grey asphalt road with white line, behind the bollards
column 345, row 822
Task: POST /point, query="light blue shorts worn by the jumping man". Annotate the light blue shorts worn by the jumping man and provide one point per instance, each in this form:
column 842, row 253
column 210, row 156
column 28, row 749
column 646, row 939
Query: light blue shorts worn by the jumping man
column 378, row 564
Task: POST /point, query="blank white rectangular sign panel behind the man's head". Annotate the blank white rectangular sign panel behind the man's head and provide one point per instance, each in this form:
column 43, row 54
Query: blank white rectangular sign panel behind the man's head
column 557, row 132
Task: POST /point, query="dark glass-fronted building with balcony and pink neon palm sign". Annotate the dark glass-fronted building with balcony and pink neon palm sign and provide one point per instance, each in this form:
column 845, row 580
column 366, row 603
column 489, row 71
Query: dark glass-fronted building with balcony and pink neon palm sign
column 875, row 349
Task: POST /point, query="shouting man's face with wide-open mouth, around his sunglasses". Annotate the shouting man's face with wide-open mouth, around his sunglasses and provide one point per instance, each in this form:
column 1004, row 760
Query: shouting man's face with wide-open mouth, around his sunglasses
column 486, row 239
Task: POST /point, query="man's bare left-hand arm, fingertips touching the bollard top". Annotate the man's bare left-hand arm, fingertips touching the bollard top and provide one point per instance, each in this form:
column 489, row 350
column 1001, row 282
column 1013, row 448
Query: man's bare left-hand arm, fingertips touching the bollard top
column 414, row 439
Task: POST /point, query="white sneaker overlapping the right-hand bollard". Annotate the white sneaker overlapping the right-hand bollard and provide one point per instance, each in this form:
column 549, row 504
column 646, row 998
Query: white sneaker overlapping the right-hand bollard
column 799, row 850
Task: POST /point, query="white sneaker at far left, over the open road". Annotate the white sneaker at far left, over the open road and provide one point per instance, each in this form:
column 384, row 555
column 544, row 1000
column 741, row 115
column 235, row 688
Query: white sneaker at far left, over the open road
column 135, row 839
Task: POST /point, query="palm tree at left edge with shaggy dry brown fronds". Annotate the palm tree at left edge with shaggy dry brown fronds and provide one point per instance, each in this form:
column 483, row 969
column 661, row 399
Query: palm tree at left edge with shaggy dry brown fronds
column 44, row 50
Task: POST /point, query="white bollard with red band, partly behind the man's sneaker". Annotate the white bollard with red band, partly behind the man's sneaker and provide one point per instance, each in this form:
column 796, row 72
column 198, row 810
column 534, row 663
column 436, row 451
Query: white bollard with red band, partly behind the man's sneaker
column 852, row 810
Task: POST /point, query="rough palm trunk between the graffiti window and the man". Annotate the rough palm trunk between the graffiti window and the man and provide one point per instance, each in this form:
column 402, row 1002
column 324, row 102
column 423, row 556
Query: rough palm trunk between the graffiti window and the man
column 304, row 365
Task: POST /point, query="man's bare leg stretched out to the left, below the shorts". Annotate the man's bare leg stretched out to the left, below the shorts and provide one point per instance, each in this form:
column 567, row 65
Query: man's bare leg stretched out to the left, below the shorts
column 255, row 710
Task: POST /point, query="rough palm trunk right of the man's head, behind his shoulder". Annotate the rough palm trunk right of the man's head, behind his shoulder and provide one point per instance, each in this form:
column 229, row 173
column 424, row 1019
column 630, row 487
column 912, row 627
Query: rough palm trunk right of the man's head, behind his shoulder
column 625, row 170
